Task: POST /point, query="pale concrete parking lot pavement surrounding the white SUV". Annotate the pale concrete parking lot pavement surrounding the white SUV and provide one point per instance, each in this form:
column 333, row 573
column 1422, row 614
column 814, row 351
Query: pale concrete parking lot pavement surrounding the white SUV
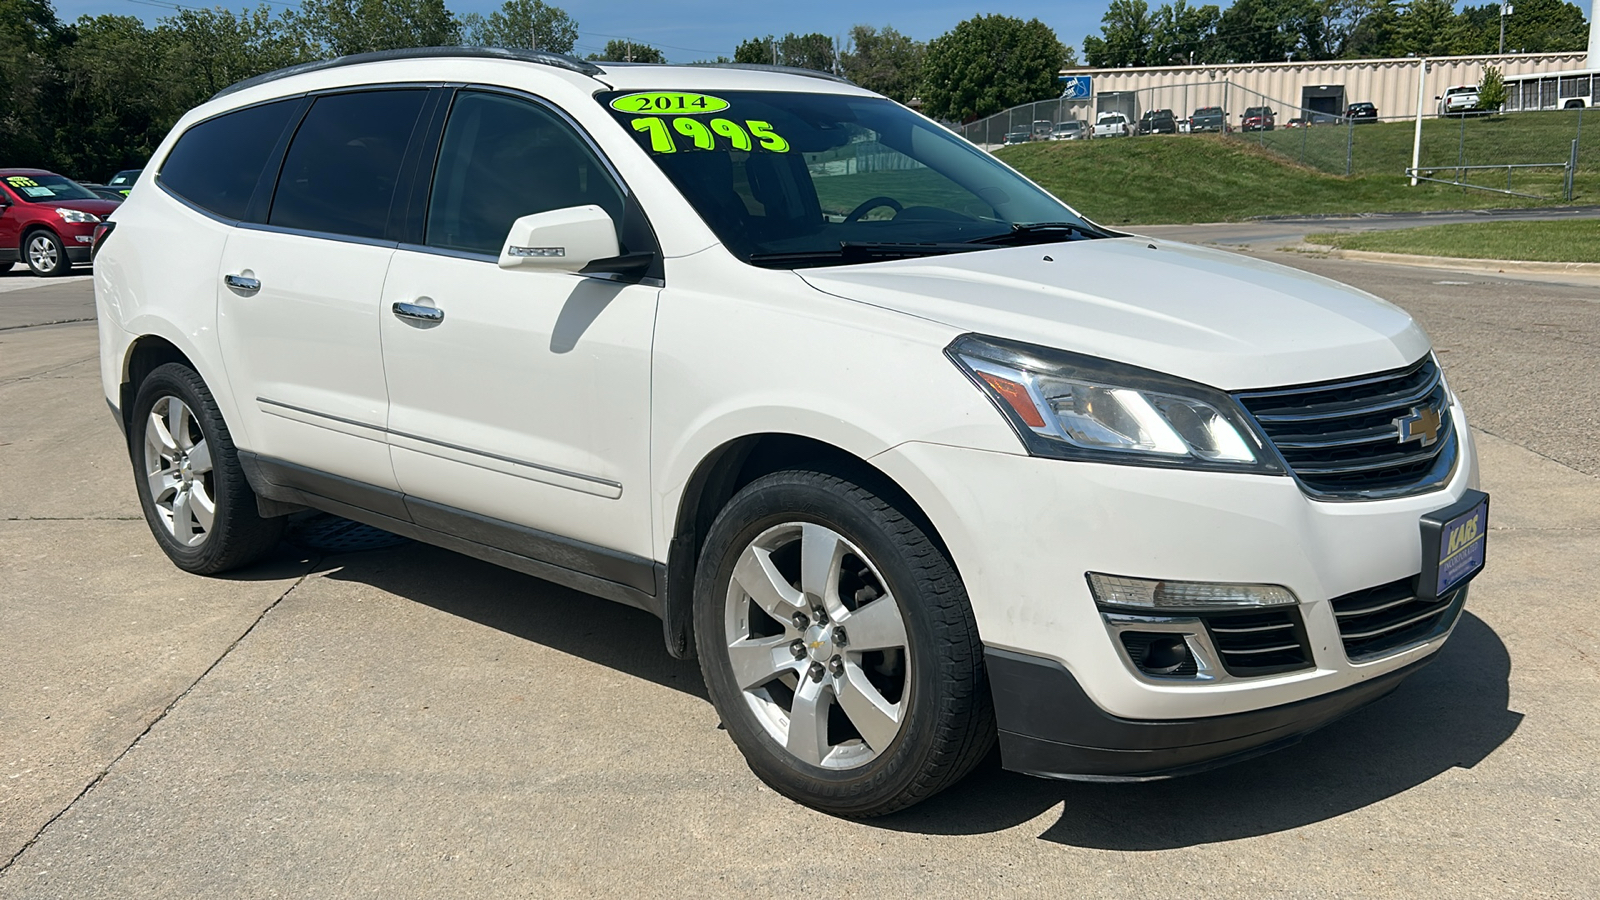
column 410, row 723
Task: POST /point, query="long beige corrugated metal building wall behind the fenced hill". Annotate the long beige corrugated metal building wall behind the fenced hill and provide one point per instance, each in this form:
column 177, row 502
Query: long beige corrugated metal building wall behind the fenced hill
column 1390, row 84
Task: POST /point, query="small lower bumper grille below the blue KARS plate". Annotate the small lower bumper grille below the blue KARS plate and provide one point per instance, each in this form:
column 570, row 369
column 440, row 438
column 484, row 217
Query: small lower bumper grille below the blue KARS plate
column 1390, row 619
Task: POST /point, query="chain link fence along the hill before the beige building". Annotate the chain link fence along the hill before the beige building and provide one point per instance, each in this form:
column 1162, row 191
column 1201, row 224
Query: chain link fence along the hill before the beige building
column 1534, row 155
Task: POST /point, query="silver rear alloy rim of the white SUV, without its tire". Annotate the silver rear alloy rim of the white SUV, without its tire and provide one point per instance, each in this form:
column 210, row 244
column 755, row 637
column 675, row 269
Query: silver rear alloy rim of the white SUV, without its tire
column 178, row 468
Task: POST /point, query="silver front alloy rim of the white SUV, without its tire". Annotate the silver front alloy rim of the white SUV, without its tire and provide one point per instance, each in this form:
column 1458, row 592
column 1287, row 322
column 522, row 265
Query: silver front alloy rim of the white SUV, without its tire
column 818, row 646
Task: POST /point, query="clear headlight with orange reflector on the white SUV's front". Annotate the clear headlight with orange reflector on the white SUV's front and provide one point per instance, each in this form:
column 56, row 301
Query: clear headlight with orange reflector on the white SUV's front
column 1081, row 408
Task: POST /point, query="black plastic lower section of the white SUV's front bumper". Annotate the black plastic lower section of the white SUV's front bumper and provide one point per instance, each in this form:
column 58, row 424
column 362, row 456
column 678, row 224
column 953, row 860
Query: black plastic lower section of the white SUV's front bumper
column 1052, row 729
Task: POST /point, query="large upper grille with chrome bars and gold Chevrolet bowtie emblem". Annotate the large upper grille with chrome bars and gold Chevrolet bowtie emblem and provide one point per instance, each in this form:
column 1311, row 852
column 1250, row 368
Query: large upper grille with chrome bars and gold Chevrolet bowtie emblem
column 1342, row 441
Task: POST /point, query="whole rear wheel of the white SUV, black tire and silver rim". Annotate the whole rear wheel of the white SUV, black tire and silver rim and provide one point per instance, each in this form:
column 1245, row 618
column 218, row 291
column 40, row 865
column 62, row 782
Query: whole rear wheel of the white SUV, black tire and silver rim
column 194, row 494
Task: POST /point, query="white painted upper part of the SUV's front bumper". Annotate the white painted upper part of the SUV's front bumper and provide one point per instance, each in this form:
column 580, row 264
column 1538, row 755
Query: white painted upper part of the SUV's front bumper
column 1023, row 532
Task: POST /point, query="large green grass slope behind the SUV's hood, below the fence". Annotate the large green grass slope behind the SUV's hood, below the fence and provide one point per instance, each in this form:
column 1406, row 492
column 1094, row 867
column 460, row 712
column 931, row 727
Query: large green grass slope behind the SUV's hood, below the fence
column 1207, row 179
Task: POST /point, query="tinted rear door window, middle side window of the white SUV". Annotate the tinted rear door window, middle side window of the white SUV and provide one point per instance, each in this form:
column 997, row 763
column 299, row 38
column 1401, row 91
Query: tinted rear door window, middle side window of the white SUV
column 343, row 166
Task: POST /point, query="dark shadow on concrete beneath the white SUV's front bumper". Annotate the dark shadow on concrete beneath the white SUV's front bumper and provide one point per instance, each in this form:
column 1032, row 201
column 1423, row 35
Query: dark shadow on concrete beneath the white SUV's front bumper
column 1454, row 713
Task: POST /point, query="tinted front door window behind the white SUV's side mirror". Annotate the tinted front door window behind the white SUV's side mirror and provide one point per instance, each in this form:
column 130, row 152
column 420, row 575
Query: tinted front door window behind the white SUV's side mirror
column 505, row 159
